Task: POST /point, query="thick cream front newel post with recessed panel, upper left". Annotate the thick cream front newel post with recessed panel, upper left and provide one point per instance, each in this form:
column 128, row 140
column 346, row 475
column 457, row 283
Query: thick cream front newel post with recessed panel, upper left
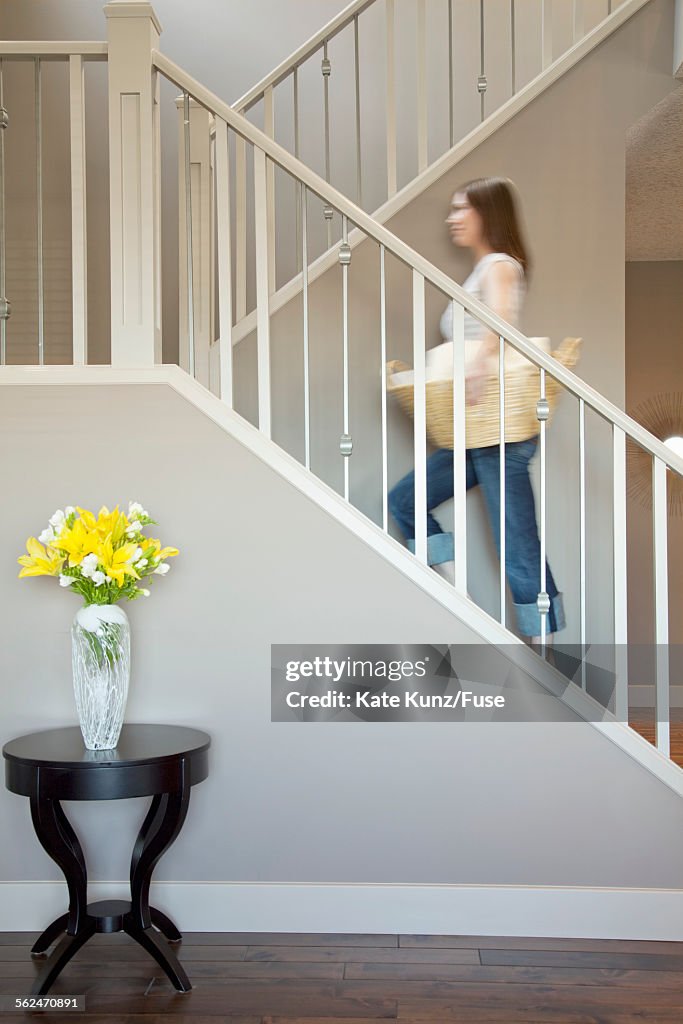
column 134, row 32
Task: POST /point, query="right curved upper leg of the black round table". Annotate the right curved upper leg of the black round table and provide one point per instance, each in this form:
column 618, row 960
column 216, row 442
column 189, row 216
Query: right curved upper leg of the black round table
column 160, row 830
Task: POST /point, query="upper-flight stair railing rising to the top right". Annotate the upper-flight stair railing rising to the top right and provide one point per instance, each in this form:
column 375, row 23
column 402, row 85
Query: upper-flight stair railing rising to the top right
column 365, row 54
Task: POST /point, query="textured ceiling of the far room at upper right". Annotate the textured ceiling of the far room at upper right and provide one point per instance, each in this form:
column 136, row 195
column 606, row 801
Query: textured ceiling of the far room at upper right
column 655, row 183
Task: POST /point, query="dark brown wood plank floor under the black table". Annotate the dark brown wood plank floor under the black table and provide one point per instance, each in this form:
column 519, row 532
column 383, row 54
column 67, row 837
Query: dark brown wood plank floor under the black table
column 361, row 979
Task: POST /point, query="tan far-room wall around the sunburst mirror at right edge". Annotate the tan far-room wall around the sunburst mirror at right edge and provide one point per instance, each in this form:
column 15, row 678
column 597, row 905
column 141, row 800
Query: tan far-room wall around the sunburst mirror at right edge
column 654, row 366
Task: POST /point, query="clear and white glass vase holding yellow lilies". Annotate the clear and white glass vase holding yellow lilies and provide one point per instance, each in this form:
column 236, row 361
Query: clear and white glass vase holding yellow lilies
column 101, row 660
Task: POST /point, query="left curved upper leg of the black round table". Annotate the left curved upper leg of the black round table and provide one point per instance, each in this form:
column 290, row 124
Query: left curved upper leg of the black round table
column 61, row 843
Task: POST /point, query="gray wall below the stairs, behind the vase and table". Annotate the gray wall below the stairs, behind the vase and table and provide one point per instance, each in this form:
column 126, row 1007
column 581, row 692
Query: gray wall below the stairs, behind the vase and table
column 260, row 564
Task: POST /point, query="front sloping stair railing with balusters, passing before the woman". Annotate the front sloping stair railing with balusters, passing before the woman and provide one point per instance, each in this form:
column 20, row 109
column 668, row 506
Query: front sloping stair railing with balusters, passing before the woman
column 264, row 154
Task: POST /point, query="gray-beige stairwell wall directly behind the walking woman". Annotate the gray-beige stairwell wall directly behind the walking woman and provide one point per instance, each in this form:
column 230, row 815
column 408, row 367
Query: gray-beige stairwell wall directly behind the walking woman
column 567, row 154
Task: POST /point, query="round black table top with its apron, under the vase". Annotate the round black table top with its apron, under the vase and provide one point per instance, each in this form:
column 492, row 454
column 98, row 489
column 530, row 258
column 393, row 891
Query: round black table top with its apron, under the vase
column 148, row 759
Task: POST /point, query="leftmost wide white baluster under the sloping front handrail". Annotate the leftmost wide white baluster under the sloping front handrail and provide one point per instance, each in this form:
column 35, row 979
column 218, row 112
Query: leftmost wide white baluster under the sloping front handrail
column 223, row 175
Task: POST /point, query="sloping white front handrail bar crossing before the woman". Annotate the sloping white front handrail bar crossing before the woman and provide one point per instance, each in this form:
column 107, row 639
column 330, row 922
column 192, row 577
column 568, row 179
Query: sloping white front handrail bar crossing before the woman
column 416, row 262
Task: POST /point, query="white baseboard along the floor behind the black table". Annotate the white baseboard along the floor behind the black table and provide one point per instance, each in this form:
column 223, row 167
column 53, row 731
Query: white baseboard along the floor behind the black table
column 546, row 912
